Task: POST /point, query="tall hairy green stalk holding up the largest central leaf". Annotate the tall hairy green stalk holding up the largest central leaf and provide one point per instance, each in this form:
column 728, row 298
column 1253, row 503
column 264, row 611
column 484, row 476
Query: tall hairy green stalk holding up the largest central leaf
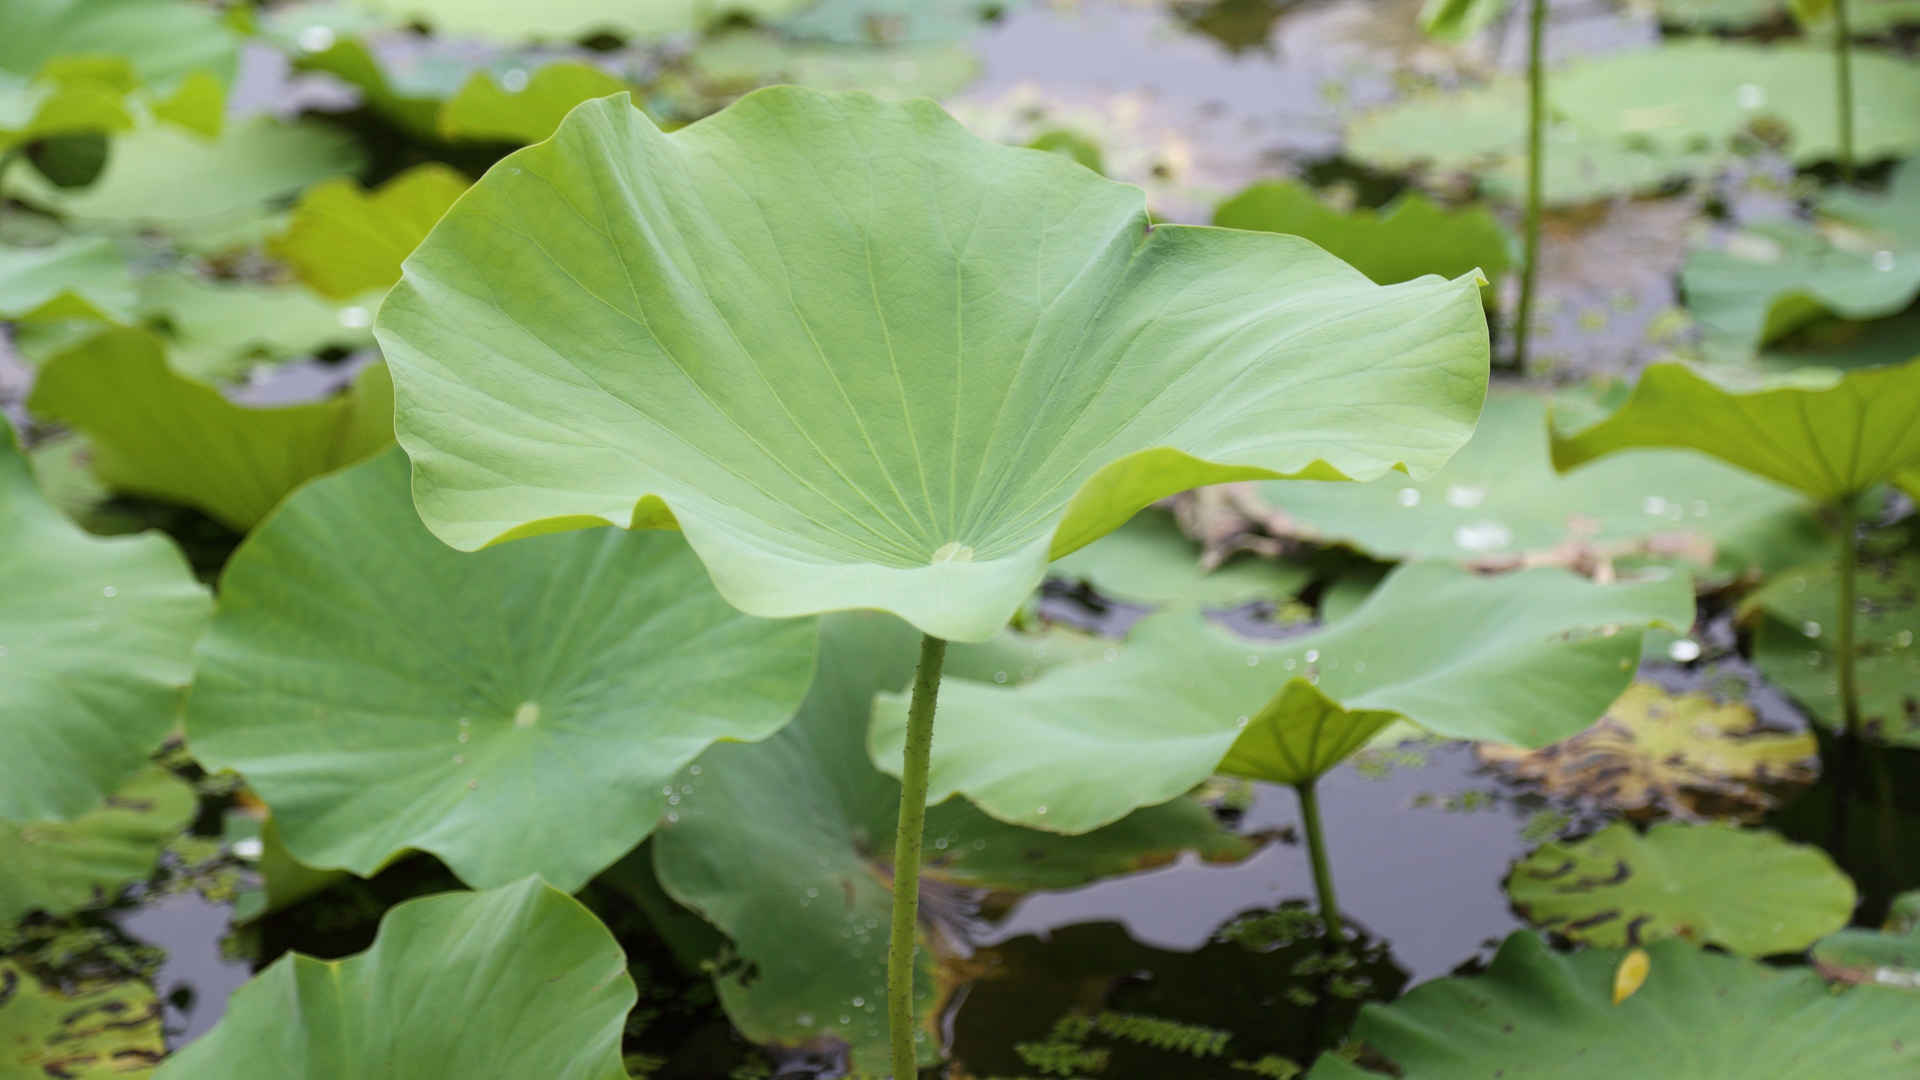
column 907, row 856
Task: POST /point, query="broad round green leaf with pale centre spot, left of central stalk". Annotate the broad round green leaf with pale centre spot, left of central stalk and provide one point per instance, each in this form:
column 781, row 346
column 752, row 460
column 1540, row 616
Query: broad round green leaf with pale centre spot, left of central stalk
column 510, row 712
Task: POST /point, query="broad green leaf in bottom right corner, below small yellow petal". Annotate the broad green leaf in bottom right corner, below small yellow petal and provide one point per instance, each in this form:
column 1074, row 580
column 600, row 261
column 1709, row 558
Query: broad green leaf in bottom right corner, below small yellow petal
column 1696, row 1018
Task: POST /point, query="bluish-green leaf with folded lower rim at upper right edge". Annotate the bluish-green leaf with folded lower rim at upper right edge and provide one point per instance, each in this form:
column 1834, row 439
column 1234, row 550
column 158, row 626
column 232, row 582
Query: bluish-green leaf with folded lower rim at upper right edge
column 1779, row 278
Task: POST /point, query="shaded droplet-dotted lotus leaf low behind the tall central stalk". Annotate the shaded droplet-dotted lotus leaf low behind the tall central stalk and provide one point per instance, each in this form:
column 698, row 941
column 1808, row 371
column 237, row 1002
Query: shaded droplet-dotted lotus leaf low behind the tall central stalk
column 786, row 847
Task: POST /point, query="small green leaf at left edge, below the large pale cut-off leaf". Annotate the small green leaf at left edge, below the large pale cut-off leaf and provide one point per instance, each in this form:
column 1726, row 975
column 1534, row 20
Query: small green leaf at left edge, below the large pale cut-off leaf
column 66, row 866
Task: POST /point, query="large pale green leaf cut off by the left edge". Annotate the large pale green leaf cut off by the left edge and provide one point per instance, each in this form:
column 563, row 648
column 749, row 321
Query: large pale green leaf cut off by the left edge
column 95, row 641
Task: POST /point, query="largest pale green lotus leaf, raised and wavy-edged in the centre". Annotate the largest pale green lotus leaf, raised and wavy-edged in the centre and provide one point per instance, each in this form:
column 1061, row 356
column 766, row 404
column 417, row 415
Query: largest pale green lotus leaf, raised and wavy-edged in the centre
column 790, row 330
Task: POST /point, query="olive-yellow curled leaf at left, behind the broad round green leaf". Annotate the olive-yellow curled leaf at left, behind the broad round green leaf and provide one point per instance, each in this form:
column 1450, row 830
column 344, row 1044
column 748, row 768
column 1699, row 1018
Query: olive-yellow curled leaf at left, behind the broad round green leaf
column 164, row 435
